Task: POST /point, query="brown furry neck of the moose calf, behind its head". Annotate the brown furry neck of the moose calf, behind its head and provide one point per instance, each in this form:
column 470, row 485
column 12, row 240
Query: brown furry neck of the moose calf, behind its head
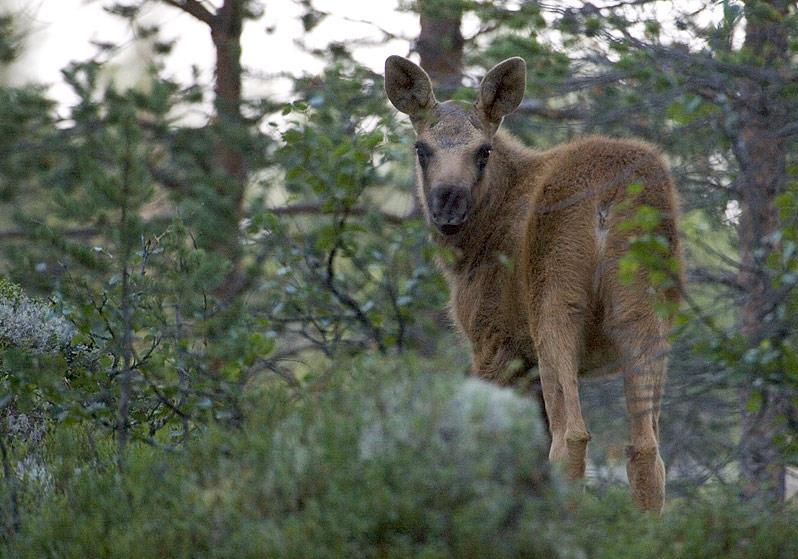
column 499, row 207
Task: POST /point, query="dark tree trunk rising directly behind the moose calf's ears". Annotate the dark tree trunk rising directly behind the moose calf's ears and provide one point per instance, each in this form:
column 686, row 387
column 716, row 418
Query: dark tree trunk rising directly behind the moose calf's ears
column 440, row 43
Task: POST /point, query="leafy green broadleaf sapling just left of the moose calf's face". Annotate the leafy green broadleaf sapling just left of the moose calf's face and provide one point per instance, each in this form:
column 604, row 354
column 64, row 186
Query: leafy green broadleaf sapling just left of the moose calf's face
column 360, row 275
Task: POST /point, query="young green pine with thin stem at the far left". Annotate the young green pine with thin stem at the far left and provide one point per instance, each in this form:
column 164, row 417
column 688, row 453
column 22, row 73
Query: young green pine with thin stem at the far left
column 150, row 330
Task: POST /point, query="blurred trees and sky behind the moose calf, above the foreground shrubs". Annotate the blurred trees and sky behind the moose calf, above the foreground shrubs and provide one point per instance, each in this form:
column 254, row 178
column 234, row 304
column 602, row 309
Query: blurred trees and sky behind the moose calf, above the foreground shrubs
column 206, row 203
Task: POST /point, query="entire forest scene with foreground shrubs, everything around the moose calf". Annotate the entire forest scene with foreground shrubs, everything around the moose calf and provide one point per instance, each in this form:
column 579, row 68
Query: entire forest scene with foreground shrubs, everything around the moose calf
column 223, row 332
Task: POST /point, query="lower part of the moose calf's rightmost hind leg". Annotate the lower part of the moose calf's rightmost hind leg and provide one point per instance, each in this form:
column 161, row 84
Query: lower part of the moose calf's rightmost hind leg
column 645, row 365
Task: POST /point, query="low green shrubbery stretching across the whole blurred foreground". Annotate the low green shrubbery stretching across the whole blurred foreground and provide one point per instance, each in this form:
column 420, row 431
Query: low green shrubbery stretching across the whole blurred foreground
column 373, row 460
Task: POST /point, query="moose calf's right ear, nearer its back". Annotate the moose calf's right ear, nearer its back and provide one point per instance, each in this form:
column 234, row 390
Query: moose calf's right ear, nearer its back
column 502, row 89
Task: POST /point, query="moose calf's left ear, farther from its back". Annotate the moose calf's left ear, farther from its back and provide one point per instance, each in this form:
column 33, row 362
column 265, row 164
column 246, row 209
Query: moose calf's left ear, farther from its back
column 408, row 86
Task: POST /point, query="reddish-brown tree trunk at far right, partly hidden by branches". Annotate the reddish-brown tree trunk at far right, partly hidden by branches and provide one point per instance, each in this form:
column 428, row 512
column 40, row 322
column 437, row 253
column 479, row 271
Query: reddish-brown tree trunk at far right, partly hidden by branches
column 762, row 164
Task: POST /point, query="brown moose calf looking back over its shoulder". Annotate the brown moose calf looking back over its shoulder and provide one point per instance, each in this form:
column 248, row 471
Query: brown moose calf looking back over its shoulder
column 555, row 215
